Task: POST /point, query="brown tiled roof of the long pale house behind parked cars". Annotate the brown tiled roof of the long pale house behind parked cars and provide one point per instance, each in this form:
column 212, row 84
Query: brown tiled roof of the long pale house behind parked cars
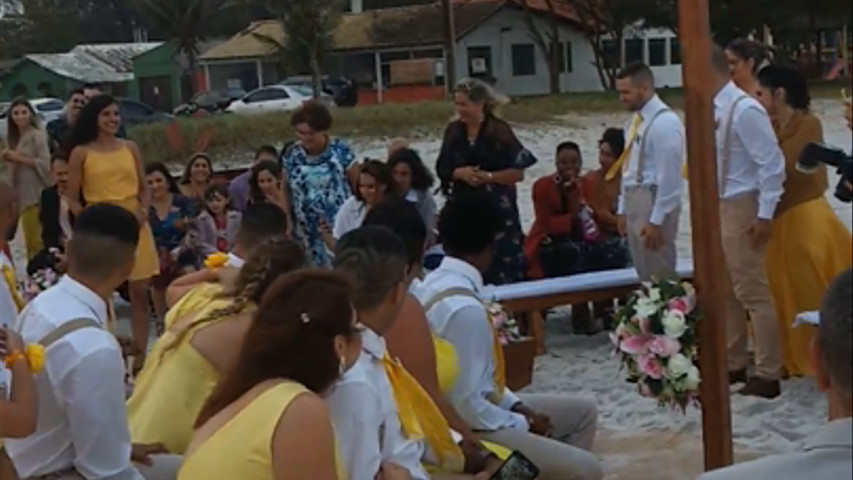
column 409, row 26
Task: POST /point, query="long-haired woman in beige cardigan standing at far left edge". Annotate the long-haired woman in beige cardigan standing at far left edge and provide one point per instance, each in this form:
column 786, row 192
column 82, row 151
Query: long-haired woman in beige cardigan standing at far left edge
column 28, row 159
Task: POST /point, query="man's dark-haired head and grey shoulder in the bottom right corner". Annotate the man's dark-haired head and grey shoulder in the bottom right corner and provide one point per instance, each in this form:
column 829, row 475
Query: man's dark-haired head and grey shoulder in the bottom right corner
column 828, row 455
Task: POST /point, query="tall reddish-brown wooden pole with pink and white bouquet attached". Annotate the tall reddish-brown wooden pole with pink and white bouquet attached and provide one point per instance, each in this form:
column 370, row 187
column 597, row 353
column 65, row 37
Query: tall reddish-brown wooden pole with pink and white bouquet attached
column 707, row 241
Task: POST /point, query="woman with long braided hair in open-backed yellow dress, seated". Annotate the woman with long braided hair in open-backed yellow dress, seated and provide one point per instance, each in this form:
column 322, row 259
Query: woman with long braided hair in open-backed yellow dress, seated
column 204, row 333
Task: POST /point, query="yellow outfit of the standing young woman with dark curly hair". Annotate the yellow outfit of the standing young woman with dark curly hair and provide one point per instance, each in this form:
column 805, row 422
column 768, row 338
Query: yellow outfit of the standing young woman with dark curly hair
column 112, row 178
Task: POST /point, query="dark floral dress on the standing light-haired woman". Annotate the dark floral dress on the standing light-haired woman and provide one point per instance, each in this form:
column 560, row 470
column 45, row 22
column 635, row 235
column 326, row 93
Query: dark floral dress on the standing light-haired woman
column 496, row 148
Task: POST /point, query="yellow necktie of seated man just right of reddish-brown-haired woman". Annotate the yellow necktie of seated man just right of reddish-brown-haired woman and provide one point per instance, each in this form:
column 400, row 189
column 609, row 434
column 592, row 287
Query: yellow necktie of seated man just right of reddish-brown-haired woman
column 420, row 418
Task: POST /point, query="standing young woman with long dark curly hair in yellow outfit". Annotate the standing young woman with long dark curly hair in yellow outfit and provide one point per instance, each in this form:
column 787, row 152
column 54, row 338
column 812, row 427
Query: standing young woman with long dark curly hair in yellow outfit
column 106, row 169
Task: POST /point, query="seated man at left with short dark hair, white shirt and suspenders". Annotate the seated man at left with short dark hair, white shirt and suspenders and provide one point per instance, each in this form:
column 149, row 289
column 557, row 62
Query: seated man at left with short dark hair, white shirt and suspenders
column 82, row 427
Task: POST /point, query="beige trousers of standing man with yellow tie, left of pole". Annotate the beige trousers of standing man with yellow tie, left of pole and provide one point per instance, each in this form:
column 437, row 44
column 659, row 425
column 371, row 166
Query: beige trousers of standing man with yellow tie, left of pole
column 639, row 202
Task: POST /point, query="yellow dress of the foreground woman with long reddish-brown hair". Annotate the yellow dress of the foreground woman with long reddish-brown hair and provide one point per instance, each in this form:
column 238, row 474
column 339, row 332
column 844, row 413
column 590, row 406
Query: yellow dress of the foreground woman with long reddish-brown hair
column 240, row 449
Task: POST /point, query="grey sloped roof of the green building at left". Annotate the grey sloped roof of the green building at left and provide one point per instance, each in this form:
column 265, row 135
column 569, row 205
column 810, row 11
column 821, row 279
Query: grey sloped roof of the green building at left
column 97, row 63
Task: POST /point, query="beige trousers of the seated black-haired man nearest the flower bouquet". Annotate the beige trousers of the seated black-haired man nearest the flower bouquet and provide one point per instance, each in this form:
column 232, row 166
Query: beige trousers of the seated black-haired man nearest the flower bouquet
column 566, row 455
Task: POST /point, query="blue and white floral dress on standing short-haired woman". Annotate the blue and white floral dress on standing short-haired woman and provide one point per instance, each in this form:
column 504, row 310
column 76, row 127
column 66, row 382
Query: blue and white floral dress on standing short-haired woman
column 318, row 188
